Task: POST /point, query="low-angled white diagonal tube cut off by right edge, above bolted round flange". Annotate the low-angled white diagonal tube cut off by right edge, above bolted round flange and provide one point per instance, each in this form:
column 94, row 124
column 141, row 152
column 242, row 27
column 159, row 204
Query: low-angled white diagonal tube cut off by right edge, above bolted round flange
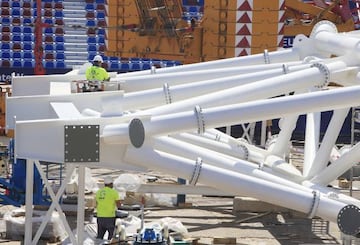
column 339, row 166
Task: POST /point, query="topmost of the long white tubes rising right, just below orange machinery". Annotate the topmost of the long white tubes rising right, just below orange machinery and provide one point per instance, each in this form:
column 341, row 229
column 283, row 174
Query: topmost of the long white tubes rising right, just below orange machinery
column 280, row 56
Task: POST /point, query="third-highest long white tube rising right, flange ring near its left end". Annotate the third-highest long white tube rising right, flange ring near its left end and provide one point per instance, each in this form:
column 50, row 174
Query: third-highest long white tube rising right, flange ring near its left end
column 167, row 94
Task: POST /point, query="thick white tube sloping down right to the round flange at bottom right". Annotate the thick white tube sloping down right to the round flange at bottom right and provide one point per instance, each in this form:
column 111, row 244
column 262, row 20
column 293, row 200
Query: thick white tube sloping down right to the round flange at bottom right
column 239, row 184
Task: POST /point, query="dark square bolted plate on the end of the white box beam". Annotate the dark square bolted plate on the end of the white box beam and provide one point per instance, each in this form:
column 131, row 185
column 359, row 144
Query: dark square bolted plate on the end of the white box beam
column 81, row 143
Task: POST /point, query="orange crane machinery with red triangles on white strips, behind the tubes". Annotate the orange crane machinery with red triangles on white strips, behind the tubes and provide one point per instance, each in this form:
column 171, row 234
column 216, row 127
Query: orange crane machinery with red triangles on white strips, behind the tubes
column 196, row 31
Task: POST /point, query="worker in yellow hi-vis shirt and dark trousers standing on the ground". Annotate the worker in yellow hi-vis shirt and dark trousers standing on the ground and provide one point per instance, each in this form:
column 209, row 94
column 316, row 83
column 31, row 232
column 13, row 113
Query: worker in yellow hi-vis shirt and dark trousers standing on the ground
column 107, row 202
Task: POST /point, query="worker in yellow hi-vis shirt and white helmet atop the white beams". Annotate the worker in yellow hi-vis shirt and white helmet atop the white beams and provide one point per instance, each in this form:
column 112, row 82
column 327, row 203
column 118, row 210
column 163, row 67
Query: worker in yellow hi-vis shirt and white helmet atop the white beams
column 96, row 74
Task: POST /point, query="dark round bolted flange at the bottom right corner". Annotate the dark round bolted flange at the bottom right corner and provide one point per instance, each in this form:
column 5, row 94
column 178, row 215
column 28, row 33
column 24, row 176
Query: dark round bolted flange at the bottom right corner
column 349, row 220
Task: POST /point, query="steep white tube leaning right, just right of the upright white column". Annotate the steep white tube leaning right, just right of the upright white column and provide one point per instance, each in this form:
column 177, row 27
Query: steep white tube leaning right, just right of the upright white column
column 329, row 140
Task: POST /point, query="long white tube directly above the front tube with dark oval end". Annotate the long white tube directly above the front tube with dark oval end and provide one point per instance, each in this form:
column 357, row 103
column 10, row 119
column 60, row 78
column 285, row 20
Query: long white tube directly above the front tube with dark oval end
column 262, row 89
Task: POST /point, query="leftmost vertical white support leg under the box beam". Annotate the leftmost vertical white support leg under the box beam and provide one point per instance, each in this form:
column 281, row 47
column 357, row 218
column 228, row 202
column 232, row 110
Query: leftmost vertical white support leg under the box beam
column 29, row 201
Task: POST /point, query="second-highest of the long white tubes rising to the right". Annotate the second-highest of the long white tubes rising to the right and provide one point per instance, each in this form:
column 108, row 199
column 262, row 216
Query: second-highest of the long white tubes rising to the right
column 143, row 82
